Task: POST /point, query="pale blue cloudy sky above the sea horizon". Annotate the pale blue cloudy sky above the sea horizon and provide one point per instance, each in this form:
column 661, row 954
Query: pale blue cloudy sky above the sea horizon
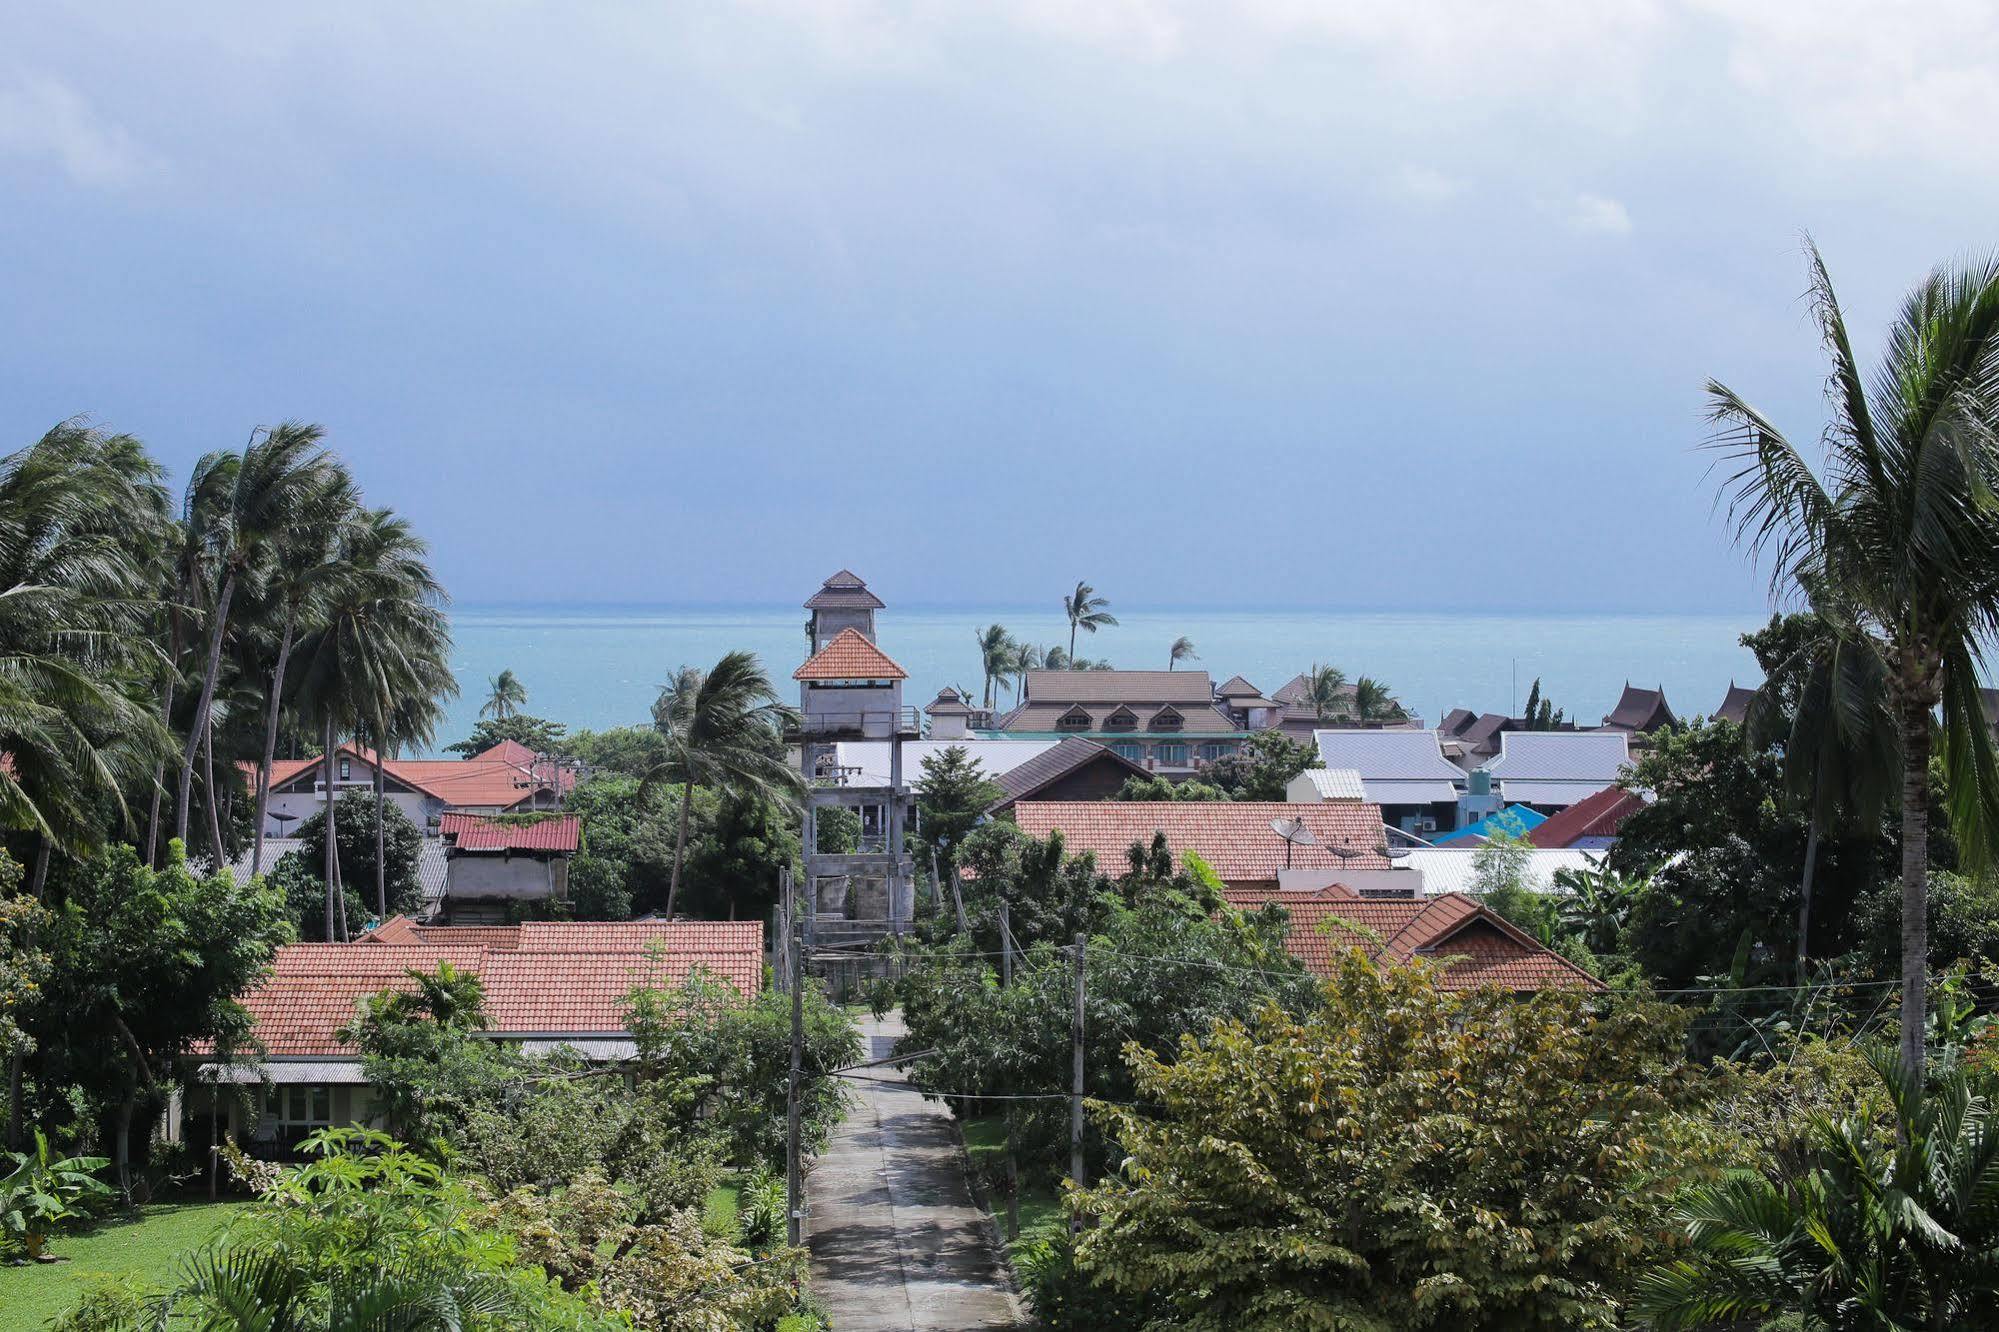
column 1272, row 303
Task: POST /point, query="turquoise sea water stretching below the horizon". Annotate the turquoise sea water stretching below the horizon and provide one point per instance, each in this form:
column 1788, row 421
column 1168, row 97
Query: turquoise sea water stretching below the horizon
column 603, row 665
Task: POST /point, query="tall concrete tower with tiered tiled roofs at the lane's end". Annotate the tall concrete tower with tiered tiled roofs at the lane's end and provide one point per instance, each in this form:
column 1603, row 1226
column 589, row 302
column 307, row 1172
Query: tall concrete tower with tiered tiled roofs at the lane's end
column 849, row 689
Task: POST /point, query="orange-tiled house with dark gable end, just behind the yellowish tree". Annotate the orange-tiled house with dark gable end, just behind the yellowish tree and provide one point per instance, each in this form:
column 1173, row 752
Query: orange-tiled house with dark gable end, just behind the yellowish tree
column 1474, row 945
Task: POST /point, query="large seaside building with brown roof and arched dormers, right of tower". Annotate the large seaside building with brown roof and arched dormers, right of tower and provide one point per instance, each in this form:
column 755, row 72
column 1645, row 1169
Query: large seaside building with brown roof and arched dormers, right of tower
column 1164, row 721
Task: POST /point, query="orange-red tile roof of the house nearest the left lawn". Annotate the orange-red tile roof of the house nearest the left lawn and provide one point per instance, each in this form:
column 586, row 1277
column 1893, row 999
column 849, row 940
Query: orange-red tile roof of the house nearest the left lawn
column 545, row 979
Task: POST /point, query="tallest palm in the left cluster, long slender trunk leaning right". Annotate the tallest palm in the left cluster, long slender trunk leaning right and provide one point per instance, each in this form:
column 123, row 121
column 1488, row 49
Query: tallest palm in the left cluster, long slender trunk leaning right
column 277, row 483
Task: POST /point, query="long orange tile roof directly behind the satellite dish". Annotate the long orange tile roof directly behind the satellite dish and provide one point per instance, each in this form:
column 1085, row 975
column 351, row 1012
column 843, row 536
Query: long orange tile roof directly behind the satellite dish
column 1234, row 837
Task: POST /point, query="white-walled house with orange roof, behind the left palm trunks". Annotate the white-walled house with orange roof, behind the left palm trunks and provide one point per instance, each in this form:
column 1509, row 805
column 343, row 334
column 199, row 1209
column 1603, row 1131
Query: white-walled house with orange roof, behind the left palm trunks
column 499, row 781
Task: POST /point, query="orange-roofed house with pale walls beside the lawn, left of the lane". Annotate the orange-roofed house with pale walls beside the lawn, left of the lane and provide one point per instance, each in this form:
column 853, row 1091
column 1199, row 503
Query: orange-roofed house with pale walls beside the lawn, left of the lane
column 549, row 985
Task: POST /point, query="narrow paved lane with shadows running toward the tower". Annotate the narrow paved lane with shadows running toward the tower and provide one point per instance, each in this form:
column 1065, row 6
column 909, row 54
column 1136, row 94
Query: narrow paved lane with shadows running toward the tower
column 897, row 1241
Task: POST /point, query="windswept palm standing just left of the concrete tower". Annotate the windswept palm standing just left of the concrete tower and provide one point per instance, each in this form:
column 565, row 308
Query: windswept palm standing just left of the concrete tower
column 723, row 729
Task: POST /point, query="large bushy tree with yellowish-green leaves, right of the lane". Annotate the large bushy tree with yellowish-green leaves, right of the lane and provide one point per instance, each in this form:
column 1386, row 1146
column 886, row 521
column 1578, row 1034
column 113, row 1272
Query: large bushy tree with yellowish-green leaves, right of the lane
column 1400, row 1157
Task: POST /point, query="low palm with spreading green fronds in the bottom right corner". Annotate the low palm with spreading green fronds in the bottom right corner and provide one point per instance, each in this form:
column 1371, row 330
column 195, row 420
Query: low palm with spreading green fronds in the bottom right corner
column 1870, row 1235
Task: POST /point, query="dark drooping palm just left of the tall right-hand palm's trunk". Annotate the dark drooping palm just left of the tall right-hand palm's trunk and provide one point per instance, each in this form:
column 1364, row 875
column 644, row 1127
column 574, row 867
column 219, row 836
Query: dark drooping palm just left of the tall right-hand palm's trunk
column 1838, row 741
